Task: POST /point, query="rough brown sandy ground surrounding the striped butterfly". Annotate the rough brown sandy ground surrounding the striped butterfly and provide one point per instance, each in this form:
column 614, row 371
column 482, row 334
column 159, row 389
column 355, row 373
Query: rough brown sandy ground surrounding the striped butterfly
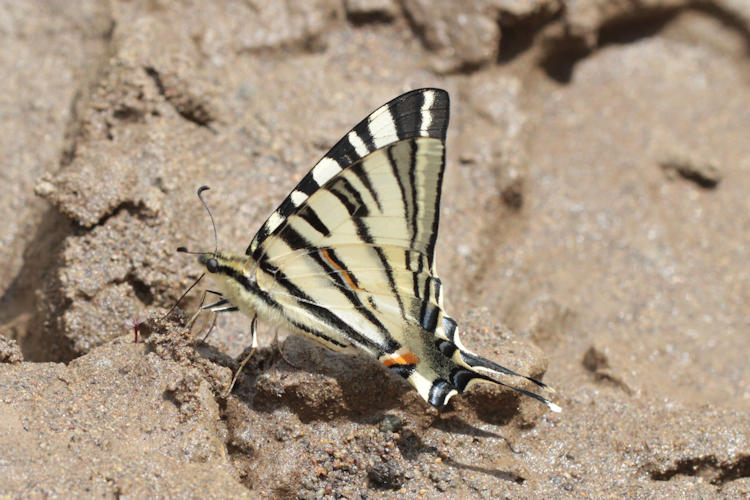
column 595, row 231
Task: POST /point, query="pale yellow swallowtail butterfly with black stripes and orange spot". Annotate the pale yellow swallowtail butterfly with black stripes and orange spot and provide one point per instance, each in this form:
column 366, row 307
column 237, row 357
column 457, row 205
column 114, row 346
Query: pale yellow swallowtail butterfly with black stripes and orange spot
column 347, row 259
